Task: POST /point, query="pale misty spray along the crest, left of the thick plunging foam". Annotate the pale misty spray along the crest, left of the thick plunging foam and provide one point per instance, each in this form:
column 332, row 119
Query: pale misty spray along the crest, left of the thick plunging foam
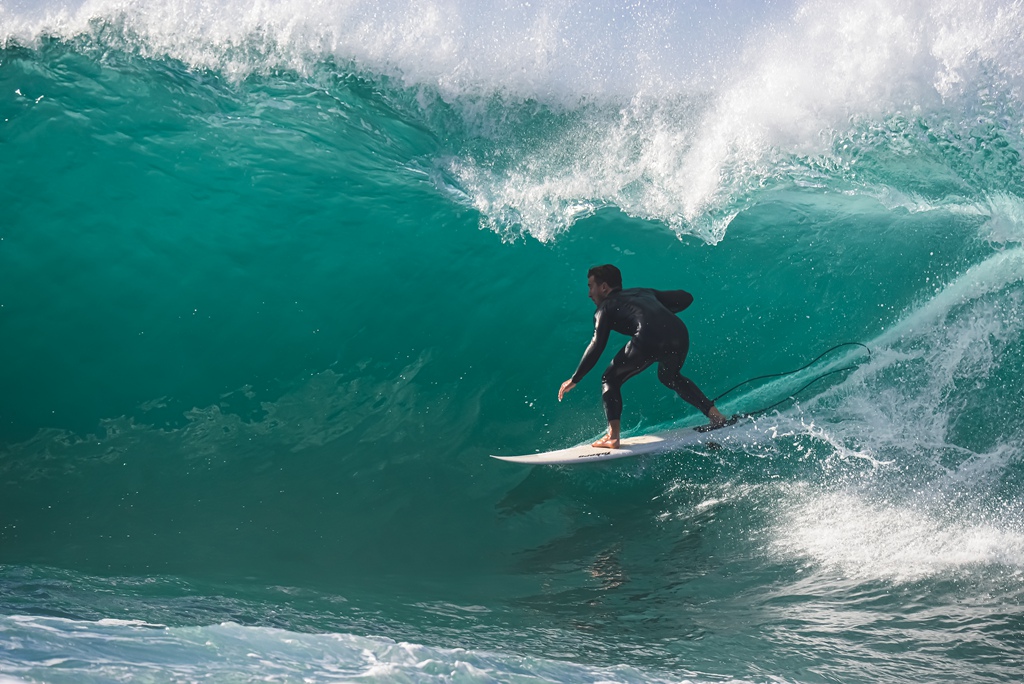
column 535, row 50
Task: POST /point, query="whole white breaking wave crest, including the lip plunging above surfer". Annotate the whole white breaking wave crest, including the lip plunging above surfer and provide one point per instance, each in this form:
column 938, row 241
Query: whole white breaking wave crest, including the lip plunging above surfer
column 673, row 114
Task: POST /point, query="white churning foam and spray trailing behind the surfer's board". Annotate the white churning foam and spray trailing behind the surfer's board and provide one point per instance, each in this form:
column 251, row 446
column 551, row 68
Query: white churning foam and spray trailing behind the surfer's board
column 928, row 504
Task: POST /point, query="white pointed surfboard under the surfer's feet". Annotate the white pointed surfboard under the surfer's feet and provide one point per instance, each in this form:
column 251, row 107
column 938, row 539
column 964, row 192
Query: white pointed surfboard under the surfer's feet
column 658, row 443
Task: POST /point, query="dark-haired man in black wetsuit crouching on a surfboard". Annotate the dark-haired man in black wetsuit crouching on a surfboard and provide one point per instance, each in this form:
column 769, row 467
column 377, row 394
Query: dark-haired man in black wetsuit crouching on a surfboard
column 656, row 335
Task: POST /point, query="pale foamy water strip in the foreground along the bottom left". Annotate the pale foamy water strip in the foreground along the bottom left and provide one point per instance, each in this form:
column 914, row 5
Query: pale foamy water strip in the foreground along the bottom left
column 123, row 652
